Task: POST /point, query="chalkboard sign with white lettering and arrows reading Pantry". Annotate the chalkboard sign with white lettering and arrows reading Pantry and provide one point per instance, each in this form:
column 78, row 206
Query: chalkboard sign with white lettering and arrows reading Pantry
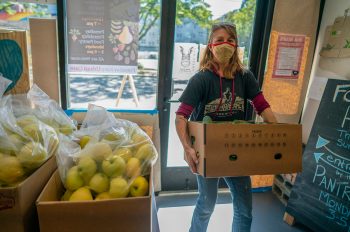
column 320, row 198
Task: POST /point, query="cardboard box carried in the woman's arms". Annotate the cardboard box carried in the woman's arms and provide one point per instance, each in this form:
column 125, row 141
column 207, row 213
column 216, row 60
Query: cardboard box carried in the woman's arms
column 227, row 149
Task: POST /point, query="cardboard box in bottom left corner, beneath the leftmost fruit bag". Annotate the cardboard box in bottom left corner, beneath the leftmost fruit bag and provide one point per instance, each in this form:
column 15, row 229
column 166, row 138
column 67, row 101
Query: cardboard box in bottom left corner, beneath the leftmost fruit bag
column 17, row 204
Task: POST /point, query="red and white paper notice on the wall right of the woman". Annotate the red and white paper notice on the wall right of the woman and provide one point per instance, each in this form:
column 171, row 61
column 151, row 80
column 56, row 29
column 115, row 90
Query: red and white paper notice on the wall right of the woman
column 288, row 56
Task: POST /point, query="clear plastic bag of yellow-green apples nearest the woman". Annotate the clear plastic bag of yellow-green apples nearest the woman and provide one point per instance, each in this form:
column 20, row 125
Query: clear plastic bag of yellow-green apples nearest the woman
column 114, row 159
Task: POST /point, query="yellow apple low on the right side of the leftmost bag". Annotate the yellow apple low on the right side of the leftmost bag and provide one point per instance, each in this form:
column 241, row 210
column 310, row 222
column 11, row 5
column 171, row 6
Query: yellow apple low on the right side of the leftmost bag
column 32, row 155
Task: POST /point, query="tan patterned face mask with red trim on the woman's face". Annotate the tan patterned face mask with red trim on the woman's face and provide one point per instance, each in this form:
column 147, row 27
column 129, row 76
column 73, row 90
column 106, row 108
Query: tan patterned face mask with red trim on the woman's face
column 223, row 51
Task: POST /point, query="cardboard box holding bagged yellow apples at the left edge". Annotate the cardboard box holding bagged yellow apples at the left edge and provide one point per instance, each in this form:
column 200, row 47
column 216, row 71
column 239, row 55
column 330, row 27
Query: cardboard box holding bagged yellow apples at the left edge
column 29, row 124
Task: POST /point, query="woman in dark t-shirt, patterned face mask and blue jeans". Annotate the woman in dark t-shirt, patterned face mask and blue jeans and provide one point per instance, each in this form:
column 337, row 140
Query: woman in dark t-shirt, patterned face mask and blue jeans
column 220, row 90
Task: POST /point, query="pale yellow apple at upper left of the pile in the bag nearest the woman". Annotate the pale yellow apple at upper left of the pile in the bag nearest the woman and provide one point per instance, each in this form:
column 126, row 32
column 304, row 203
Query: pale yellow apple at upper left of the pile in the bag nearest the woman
column 98, row 151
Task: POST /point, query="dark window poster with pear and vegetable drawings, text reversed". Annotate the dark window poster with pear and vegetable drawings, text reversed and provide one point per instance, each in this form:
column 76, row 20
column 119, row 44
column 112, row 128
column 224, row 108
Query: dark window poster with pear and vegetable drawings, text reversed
column 102, row 36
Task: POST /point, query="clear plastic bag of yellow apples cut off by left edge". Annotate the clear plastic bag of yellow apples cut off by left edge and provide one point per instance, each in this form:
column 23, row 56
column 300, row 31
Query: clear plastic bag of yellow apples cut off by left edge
column 25, row 144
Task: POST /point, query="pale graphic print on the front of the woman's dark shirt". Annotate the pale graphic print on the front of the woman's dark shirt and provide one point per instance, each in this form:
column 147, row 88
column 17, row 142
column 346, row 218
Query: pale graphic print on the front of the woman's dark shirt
column 224, row 109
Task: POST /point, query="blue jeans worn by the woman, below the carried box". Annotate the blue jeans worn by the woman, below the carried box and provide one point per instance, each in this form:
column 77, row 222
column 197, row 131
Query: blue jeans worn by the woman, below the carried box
column 240, row 188
